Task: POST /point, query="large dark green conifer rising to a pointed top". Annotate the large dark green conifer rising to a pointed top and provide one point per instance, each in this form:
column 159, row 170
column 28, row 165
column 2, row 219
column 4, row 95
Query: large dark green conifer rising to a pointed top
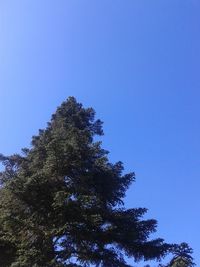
column 61, row 201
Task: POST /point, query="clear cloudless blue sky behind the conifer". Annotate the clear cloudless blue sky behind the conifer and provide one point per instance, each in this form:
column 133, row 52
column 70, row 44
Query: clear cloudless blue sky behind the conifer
column 137, row 63
